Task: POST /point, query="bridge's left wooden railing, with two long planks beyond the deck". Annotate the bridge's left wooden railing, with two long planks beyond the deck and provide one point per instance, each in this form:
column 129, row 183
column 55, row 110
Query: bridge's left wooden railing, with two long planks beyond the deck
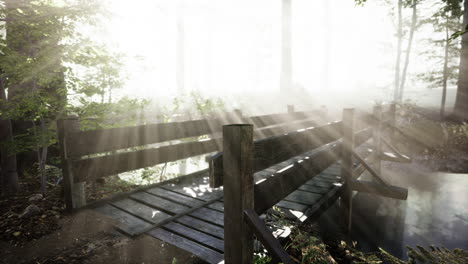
column 90, row 155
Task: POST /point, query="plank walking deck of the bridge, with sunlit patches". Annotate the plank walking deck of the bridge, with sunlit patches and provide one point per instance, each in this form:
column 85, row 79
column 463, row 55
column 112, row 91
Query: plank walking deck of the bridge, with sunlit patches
column 189, row 214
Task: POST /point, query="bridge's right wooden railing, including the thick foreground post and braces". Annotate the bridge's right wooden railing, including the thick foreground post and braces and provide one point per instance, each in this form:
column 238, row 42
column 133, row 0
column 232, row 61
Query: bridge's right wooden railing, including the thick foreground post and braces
column 244, row 200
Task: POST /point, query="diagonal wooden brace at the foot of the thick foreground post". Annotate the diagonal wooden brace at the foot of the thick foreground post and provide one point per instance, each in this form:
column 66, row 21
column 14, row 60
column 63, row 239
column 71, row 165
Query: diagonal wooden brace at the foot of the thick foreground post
column 266, row 237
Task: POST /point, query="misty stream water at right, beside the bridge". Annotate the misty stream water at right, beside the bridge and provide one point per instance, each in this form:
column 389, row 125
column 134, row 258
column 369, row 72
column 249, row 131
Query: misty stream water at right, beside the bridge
column 436, row 213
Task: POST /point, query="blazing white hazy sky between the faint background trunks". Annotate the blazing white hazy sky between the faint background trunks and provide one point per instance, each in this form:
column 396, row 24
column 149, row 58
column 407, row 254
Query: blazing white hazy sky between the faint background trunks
column 234, row 45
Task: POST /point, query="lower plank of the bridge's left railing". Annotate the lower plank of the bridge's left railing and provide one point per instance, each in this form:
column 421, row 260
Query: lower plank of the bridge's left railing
column 94, row 168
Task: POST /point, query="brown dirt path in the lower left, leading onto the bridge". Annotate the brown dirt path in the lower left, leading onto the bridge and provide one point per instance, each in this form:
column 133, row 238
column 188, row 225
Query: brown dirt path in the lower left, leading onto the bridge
column 88, row 237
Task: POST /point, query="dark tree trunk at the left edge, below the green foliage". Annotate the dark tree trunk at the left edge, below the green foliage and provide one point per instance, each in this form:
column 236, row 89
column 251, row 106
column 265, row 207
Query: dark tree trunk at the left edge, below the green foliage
column 8, row 172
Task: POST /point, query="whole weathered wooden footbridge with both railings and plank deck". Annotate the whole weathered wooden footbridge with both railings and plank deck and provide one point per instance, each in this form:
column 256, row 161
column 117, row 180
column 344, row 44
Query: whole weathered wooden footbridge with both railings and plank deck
column 299, row 163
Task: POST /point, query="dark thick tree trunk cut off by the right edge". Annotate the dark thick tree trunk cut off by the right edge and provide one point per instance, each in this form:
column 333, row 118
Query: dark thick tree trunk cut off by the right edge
column 461, row 102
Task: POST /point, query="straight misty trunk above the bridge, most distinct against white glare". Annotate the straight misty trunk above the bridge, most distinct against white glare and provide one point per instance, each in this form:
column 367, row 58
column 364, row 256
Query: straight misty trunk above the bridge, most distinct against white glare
column 286, row 53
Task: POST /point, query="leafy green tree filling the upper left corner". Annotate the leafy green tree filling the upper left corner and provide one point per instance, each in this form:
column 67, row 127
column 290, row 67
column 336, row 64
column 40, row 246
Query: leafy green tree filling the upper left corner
column 39, row 56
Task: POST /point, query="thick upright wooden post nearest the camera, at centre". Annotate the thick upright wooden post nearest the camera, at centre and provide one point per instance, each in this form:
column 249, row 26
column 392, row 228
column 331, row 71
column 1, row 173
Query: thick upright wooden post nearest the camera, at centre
column 238, row 192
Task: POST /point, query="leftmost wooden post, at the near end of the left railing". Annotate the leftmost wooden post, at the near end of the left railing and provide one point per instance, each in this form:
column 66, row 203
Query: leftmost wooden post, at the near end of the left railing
column 75, row 196
